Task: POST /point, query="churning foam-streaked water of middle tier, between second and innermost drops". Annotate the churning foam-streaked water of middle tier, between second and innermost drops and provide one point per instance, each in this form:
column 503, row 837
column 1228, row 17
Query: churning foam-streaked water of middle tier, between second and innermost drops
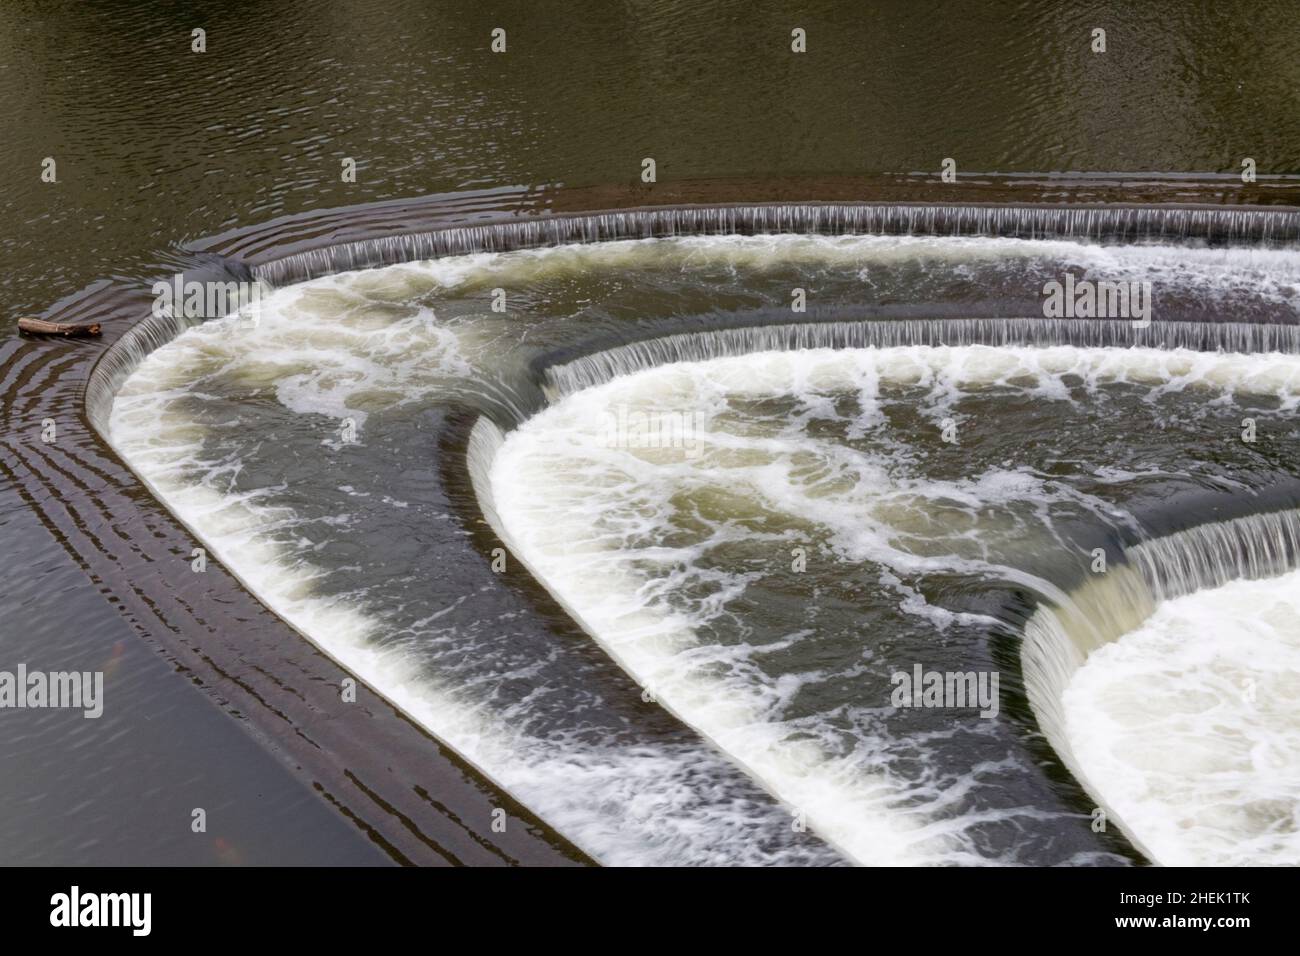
column 678, row 559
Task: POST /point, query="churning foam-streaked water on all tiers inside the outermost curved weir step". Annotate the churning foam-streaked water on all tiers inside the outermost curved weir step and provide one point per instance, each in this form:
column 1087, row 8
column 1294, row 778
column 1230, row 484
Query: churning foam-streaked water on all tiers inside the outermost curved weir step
column 762, row 540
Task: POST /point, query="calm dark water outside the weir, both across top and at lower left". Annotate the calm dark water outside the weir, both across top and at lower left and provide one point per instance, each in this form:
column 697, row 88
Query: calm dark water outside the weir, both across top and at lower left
column 158, row 146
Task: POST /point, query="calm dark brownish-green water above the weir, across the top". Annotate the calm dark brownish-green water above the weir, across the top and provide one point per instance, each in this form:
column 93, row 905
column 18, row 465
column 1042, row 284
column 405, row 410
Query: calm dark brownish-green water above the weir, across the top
column 157, row 145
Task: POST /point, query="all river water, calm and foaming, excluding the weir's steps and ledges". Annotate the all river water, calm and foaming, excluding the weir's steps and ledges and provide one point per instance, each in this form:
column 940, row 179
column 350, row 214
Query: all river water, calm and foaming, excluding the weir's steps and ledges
column 158, row 148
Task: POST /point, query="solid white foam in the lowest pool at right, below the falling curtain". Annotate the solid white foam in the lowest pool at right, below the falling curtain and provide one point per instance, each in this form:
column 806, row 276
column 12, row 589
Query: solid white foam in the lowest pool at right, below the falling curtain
column 1190, row 726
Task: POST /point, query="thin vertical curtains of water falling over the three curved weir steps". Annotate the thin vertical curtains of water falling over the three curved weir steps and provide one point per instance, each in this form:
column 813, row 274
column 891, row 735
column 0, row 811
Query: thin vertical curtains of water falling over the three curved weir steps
column 1056, row 639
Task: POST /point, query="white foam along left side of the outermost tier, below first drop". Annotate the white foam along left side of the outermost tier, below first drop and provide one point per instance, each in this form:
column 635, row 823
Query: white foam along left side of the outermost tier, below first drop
column 626, row 806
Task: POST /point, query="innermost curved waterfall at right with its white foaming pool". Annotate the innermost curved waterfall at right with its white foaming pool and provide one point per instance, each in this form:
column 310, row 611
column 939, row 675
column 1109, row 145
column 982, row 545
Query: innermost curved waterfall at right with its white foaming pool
column 1186, row 671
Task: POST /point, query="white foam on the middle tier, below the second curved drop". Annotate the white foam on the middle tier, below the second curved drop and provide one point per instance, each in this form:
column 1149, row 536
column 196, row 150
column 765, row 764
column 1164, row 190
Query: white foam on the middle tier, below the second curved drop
column 591, row 517
